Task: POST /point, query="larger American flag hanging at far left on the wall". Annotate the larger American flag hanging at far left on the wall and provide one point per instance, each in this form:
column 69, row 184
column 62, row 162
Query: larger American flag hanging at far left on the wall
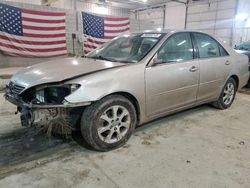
column 31, row 33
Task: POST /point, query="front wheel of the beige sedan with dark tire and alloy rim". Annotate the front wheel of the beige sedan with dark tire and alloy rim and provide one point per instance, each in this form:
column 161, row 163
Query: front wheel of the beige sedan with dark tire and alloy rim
column 108, row 124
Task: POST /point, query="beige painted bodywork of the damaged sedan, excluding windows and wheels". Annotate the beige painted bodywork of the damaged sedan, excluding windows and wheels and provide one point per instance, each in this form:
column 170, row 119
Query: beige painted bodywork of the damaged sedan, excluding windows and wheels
column 156, row 93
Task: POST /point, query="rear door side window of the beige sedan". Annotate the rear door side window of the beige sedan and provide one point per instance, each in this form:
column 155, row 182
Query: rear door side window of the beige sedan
column 207, row 46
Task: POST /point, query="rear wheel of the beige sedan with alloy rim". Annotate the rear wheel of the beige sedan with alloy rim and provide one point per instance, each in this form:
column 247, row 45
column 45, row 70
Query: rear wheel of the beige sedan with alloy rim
column 227, row 95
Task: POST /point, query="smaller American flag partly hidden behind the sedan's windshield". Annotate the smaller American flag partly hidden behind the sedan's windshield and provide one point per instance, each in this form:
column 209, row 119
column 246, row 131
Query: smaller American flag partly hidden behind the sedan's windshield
column 98, row 30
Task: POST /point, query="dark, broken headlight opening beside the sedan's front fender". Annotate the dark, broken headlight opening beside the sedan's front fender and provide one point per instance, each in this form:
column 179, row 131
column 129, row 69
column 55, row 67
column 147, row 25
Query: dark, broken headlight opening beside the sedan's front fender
column 53, row 94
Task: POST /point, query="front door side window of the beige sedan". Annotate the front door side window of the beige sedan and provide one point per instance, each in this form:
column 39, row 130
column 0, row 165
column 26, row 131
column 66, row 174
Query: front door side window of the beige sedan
column 177, row 48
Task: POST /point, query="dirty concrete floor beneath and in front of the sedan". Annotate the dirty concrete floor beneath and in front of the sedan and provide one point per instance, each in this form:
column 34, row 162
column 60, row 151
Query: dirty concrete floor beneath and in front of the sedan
column 201, row 147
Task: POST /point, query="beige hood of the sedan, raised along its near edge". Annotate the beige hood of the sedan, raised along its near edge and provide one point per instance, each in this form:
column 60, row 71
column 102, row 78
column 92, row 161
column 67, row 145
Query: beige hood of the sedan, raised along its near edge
column 59, row 70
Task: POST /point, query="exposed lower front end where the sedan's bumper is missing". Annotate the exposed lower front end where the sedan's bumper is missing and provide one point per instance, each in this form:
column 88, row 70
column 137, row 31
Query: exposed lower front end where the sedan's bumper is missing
column 67, row 114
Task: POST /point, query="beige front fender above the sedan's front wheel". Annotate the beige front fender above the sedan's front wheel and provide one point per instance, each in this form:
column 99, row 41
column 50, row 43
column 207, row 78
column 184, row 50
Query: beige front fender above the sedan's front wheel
column 116, row 80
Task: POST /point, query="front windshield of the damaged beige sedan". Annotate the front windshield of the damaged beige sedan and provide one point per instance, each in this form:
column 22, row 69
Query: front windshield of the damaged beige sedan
column 127, row 48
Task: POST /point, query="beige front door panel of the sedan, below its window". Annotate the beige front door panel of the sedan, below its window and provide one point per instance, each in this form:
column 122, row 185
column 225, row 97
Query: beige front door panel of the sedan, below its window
column 170, row 86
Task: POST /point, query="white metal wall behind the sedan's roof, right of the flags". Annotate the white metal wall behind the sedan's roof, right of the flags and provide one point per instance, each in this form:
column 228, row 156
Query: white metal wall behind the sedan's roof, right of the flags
column 215, row 17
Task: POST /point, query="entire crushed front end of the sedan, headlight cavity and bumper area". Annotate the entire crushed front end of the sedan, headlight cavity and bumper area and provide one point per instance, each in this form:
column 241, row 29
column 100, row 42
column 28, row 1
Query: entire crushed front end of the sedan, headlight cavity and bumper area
column 45, row 105
